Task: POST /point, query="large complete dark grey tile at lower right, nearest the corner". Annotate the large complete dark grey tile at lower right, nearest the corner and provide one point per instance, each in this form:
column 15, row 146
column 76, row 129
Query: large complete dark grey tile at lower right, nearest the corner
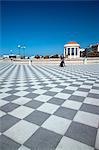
column 82, row 133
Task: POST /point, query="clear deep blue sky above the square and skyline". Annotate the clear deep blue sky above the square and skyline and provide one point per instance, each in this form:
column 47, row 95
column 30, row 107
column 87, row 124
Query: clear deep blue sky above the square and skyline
column 44, row 27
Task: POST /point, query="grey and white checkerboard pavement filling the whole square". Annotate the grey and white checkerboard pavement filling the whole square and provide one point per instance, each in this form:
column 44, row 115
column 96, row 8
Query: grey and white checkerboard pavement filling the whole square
column 48, row 107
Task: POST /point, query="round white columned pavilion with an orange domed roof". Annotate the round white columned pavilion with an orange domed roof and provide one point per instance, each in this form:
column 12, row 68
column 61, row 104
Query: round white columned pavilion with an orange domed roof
column 72, row 50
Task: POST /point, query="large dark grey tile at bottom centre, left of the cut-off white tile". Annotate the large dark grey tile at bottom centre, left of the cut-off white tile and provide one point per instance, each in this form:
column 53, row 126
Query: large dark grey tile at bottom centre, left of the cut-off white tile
column 43, row 139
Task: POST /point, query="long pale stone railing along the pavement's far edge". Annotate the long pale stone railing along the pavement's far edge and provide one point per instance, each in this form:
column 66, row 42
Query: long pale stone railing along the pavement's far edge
column 55, row 61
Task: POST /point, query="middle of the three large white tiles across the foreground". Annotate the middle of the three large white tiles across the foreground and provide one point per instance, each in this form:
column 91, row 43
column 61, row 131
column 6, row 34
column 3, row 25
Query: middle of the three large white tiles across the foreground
column 57, row 124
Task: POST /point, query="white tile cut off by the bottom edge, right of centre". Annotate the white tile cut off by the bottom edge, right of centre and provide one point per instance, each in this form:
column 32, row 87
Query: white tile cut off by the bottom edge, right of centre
column 70, row 144
